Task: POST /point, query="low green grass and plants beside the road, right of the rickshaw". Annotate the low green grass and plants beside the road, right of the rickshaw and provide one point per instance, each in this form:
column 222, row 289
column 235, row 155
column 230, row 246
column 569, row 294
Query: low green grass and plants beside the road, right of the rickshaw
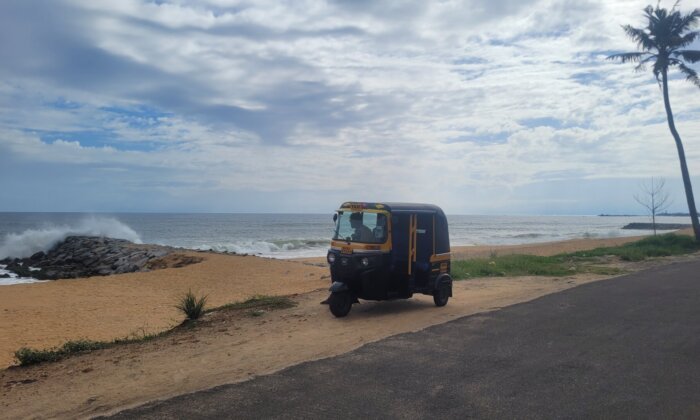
column 574, row 263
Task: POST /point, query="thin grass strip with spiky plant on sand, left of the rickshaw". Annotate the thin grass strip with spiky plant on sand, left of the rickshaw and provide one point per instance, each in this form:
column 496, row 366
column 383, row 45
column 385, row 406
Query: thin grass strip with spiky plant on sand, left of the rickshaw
column 257, row 306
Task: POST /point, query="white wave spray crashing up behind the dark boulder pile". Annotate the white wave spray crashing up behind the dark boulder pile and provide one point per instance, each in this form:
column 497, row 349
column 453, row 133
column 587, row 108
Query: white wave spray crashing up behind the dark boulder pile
column 22, row 245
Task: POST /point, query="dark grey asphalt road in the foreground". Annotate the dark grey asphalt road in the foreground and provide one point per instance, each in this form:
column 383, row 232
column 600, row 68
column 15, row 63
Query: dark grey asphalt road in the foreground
column 623, row 348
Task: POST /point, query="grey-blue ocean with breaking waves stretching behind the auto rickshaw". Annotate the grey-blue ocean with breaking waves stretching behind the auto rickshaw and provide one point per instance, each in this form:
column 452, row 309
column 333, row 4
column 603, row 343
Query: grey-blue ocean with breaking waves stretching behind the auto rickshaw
column 281, row 235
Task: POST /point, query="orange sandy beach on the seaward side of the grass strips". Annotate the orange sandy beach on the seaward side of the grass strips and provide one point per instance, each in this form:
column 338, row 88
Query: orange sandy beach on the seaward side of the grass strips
column 104, row 308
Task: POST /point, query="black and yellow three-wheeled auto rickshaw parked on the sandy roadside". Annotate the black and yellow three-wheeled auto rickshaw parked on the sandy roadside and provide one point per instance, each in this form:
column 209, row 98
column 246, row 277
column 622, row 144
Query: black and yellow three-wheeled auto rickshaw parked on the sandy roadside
column 383, row 251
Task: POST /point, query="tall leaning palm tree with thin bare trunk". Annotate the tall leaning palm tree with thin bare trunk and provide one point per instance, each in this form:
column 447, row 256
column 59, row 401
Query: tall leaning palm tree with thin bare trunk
column 662, row 43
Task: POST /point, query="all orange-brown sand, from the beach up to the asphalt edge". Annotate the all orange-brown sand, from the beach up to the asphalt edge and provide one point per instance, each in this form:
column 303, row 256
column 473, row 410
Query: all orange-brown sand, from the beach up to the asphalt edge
column 228, row 347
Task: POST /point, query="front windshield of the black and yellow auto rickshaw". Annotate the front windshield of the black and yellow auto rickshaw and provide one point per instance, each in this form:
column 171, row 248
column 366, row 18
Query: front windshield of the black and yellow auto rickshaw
column 365, row 227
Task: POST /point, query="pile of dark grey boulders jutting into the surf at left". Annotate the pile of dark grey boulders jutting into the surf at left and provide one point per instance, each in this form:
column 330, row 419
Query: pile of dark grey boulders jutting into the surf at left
column 86, row 256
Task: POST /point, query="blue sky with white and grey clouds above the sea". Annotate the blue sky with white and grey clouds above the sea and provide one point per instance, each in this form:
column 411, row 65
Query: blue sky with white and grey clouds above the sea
column 481, row 107
